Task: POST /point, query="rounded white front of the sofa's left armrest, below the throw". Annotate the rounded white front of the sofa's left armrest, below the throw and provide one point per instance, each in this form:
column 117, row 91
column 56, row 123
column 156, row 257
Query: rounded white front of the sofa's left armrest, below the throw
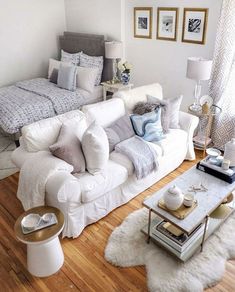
column 64, row 187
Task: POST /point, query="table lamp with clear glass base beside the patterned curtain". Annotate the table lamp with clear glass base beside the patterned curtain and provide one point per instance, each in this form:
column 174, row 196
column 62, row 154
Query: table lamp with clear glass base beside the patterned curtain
column 198, row 69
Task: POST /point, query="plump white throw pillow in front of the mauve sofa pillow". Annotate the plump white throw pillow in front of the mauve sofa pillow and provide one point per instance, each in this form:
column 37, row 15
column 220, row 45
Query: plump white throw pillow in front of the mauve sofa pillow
column 95, row 147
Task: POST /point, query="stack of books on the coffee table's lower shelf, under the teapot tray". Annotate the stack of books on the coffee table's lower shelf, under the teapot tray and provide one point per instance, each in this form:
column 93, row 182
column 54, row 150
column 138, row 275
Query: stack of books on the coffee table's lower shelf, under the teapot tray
column 179, row 241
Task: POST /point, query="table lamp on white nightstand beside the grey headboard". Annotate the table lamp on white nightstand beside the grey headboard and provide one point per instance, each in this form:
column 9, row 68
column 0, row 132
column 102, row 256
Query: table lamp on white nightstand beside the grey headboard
column 113, row 50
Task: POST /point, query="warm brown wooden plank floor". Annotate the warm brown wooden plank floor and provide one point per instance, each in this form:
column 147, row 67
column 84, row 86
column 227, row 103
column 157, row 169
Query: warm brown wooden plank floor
column 85, row 268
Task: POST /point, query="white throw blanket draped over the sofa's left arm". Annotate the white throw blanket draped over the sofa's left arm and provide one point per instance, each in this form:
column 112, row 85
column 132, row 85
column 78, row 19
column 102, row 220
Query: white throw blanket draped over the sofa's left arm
column 34, row 175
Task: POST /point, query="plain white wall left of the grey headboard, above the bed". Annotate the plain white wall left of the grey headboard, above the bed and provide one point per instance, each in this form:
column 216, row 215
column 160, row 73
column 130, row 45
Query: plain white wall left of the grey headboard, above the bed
column 28, row 37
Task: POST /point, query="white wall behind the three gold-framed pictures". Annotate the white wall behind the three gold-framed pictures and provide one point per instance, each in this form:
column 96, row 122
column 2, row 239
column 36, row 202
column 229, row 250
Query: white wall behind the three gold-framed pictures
column 165, row 61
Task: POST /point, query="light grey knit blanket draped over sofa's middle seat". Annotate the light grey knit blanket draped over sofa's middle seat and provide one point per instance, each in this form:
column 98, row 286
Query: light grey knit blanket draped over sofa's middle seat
column 141, row 154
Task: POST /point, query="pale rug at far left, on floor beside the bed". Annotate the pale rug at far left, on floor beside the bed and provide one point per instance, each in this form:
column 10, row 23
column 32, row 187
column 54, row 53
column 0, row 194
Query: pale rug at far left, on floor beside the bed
column 7, row 145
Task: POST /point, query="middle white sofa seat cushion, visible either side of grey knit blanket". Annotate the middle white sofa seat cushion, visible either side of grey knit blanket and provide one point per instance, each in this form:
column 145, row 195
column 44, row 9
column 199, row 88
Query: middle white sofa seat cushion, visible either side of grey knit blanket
column 125, row 161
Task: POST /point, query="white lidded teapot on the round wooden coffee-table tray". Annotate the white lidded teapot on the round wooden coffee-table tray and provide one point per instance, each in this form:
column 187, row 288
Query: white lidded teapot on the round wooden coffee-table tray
column 173, row 198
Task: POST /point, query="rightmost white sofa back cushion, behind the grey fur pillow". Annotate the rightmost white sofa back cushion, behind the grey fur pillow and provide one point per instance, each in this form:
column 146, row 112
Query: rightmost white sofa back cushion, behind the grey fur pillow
column 138, row 94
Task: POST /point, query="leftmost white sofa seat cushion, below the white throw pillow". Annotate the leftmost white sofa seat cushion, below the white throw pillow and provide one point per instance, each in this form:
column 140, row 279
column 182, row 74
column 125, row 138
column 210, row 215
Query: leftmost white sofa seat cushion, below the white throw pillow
column 94, row 186
